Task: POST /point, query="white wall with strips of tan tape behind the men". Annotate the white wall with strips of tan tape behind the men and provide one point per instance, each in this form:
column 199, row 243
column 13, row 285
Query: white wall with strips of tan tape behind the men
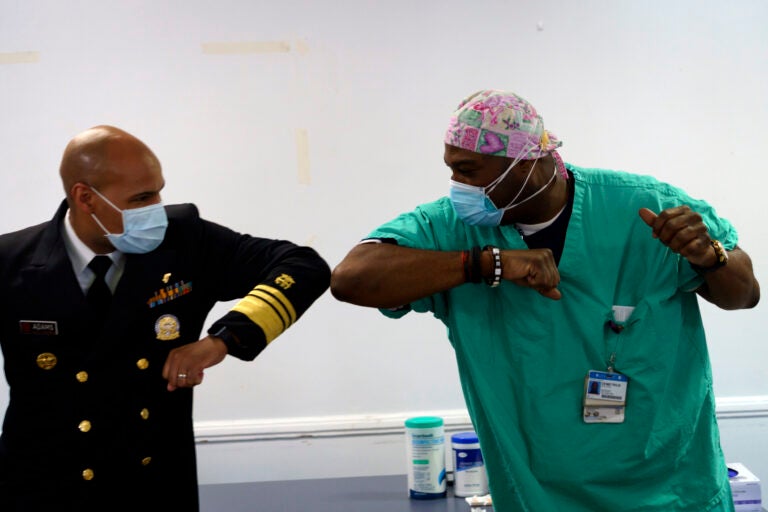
column 317, row 121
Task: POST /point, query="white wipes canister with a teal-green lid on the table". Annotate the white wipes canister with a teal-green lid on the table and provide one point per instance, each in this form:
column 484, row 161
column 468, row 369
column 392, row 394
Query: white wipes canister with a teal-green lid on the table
column 425, row 449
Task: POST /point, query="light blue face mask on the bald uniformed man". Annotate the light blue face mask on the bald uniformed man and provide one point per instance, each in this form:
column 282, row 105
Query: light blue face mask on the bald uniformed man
column 143, row 228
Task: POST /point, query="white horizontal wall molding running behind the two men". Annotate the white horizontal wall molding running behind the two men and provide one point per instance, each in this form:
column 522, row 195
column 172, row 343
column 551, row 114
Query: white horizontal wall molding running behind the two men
column 255, row 430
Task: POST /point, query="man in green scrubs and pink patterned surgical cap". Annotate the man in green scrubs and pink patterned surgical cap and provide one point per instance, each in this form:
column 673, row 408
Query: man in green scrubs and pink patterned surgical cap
column 571, row 299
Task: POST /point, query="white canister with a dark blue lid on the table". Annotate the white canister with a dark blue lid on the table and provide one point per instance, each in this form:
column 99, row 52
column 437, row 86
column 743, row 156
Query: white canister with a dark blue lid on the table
column 469, row 476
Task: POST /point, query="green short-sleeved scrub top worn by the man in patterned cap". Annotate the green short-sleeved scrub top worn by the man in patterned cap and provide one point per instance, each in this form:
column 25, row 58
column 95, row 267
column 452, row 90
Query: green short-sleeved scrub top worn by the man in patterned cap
column 523, row 358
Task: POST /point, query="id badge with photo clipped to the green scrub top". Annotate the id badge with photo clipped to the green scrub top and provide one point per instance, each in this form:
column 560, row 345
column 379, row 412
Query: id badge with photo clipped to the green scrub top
column 605, row 397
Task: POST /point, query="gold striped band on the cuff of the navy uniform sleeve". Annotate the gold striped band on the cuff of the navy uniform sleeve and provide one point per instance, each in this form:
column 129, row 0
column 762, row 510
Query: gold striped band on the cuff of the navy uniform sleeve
column 268, row 308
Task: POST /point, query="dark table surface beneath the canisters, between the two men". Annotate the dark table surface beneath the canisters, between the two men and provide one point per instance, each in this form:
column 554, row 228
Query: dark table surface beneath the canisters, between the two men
column 358, row 494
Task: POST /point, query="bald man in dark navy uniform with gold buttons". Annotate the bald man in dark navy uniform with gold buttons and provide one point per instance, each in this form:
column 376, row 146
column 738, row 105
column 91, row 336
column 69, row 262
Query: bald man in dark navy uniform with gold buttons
column 101, row 312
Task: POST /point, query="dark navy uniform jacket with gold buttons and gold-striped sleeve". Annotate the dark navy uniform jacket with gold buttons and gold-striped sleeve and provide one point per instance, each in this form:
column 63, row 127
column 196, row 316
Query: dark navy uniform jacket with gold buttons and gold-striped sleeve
column 90, row 424
